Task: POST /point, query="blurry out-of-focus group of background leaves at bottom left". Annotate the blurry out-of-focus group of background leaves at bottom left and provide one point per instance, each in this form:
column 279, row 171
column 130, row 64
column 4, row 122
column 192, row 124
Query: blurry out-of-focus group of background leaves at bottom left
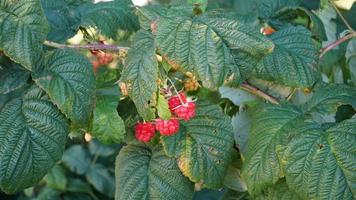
column 87, row 172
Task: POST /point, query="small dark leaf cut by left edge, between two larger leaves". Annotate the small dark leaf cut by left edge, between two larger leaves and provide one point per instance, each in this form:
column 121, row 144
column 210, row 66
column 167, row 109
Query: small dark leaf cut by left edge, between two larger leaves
column 12, row 77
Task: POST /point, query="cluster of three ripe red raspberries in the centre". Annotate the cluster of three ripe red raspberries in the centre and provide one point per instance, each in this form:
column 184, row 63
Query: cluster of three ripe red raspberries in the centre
column 180, row 107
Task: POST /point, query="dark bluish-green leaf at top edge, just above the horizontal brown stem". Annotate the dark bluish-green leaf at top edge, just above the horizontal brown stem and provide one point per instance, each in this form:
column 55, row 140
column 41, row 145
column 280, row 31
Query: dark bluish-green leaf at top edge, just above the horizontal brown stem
column 109, row 17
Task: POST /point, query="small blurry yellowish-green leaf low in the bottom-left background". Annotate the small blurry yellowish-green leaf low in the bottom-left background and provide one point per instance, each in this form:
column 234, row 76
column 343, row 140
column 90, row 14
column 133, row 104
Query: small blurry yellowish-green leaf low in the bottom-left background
column 56, row 178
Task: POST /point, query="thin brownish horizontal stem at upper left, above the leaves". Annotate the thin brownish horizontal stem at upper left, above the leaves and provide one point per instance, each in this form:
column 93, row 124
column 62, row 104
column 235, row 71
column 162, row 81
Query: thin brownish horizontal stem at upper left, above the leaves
column 86, row 46
